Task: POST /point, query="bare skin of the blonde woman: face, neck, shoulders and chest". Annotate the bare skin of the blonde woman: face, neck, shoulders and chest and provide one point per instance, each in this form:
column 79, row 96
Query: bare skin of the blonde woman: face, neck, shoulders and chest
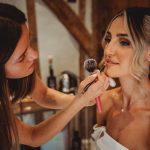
column 129, row 127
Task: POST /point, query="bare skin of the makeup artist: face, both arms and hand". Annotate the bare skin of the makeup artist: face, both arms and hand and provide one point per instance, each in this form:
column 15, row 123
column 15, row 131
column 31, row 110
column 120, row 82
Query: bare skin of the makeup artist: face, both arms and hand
column 21, row 64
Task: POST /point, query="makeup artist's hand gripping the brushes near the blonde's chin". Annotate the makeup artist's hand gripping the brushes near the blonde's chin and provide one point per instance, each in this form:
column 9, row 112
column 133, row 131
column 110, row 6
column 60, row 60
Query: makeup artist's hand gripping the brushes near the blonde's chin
column 97, row 88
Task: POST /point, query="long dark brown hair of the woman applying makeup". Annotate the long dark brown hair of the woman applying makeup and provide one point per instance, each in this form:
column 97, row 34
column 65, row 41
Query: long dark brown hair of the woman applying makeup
column 11, row 90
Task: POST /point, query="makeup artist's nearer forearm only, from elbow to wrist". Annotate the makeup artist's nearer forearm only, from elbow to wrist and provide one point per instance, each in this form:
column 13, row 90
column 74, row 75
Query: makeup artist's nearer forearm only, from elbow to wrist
column 44, row 131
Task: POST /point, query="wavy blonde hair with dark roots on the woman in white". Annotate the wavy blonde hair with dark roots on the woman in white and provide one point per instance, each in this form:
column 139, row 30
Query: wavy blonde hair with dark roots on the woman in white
column 137, row 25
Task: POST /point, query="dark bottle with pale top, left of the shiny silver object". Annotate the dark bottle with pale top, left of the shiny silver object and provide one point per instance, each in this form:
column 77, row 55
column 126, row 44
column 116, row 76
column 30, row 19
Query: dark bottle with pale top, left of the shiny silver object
column 51, row 80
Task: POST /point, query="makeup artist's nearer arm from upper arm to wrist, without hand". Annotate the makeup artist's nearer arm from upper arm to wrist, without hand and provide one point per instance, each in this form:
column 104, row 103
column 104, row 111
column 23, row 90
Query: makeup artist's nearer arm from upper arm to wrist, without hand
column 44, row 131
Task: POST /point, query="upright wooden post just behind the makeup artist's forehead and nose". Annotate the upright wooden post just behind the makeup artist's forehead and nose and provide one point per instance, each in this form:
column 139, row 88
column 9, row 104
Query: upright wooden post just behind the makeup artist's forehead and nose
column 32, row 26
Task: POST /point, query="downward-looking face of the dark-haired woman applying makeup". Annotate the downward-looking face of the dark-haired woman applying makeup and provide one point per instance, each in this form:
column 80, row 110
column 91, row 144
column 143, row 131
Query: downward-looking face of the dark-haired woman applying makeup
column 22, row 61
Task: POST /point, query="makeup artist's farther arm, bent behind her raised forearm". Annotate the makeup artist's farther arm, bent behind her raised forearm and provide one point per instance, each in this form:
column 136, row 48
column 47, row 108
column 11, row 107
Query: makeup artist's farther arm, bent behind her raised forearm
column 49, row 98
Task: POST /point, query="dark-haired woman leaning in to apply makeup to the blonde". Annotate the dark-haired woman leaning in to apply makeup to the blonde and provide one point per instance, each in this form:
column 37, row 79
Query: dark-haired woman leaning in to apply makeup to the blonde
column 19, row 79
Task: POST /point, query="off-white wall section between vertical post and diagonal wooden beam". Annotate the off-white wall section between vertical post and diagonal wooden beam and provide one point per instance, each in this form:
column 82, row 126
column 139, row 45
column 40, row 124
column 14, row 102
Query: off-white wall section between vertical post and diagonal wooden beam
column 56, row 41
